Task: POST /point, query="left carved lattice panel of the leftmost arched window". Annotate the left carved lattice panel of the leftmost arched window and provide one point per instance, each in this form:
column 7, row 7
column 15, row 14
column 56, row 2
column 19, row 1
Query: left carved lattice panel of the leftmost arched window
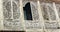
column 7, row 8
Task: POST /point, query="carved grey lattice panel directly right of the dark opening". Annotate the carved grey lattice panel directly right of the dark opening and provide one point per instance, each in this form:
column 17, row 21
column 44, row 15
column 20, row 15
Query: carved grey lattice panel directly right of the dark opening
column 34, row 11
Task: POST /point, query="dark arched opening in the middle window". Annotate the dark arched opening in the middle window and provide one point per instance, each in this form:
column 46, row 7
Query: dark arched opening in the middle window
column 27, row 12
